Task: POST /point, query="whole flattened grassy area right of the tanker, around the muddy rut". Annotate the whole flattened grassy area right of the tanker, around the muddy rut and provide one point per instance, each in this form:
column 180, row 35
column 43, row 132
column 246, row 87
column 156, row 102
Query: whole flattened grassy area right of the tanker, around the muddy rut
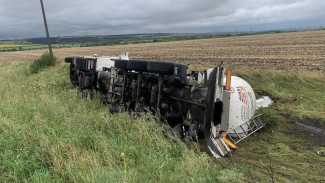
column 284, row 151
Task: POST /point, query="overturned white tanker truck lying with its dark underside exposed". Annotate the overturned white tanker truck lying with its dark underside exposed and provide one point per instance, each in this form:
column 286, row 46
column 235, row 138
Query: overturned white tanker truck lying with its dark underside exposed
column 210, row 105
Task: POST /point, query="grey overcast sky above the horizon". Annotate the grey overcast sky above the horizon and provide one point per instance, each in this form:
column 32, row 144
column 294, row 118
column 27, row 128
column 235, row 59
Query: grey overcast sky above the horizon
column 23, row 18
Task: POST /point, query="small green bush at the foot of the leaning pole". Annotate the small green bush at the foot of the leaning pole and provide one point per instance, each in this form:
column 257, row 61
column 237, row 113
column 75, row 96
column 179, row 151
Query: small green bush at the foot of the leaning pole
column 43, row 62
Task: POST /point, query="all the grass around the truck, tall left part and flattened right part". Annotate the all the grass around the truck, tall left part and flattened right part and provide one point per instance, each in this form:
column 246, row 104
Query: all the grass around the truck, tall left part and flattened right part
column 48, row 134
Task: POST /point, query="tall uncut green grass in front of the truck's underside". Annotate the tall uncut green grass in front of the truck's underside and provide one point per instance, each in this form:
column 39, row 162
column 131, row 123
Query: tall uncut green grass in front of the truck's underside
column 48, row 134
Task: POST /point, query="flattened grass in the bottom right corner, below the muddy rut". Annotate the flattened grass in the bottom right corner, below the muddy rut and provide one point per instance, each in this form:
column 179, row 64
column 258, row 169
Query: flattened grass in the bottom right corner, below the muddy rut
column 281, row 157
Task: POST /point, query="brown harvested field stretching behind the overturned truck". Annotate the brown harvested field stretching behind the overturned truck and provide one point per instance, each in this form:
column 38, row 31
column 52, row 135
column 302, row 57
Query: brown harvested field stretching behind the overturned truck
column 285, row 51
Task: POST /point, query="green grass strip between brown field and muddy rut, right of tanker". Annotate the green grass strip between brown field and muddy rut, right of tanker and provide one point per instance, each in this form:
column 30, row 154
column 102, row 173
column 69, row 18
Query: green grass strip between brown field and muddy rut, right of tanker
column 300, row 96
